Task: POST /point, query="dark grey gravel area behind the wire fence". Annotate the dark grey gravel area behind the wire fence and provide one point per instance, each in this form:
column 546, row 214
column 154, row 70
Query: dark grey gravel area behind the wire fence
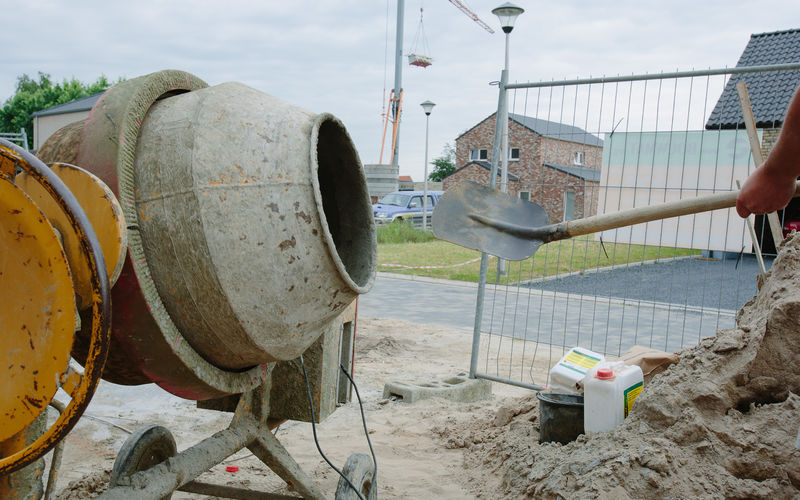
column 701, row 282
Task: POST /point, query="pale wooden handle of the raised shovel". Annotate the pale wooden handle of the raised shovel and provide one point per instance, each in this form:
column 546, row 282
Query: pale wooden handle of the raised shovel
column 633, row 216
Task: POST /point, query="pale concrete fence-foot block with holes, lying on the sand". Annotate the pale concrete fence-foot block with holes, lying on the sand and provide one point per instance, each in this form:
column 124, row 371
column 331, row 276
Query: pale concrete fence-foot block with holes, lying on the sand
column 458, row 387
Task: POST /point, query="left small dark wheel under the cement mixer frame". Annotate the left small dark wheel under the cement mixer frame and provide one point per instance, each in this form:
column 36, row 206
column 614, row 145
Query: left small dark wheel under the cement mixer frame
column 145, row 448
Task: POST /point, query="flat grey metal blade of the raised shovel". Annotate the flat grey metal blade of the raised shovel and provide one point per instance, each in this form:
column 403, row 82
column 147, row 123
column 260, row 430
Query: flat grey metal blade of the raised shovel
column 451, row 220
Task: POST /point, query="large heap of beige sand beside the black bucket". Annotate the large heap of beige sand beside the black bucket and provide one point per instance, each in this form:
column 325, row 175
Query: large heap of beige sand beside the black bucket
column 720, row 423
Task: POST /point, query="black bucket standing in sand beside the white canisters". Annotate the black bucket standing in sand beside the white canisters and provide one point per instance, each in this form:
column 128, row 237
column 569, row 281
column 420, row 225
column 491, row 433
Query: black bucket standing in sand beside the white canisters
column 560, row 417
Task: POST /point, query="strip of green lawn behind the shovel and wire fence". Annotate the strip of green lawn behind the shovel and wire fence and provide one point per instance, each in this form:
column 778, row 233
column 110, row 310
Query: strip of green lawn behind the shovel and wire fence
column 577, row 254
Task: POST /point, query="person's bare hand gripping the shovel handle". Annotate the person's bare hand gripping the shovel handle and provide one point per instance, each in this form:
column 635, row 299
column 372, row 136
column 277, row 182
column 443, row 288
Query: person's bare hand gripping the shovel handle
column 764, row 192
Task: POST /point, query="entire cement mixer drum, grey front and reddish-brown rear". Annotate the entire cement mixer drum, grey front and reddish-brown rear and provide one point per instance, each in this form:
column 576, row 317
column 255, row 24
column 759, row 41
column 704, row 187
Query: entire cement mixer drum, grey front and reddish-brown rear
column 249, row 228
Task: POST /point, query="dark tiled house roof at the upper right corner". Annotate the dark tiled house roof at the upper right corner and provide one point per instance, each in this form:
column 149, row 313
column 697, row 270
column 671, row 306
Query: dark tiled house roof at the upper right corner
column 770, row 92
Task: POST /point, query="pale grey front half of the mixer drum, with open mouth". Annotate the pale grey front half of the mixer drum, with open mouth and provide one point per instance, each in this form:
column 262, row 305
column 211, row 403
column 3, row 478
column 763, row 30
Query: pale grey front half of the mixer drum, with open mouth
column 252, row 222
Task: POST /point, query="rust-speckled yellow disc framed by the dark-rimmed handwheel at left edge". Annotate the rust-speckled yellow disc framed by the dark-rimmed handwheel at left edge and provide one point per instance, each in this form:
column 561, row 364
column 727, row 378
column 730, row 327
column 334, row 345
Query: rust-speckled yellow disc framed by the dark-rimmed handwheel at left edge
column 37, row 310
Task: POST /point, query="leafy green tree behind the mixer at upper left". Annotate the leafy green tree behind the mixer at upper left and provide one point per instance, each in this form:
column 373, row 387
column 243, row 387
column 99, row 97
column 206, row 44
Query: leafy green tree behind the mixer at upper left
column 32, row 95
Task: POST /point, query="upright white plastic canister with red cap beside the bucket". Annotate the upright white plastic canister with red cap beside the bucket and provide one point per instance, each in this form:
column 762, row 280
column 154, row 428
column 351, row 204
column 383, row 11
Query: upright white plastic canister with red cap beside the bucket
column 609, row 392
